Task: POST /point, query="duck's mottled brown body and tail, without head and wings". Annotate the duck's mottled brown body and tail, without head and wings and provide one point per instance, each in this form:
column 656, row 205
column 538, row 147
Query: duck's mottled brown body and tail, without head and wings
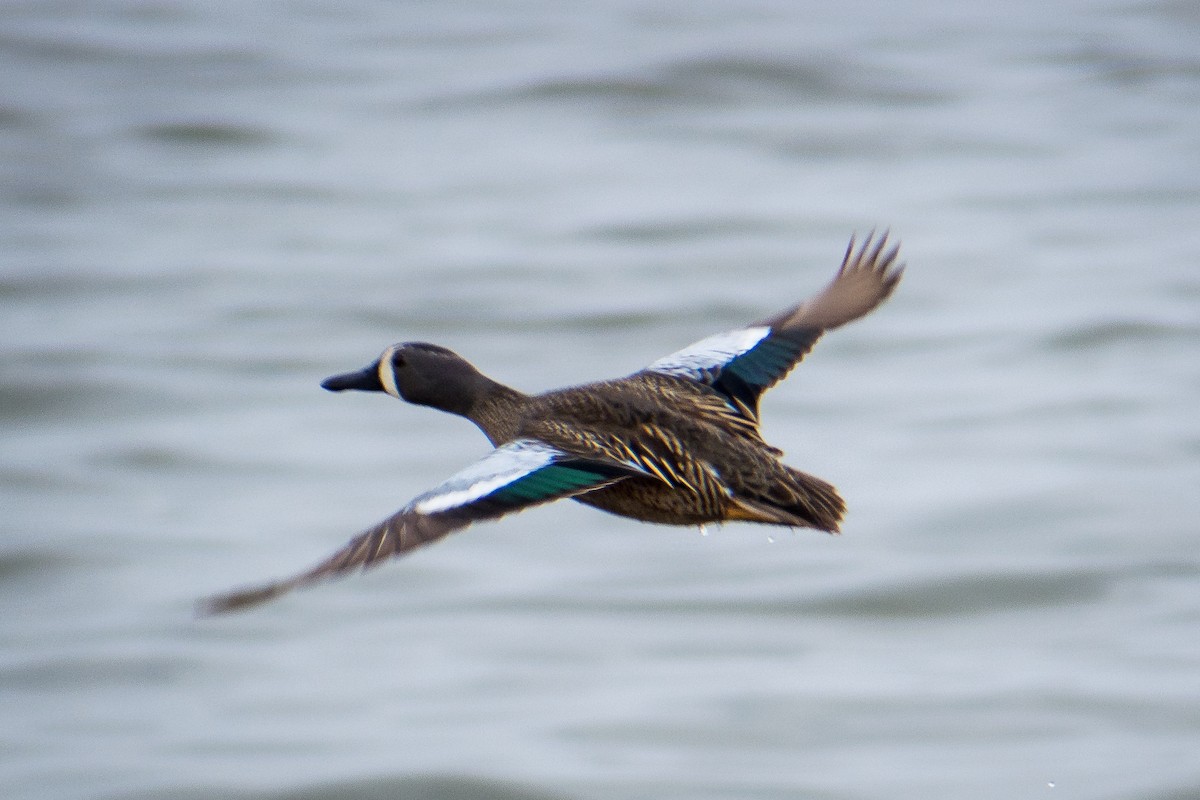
column 704, row 461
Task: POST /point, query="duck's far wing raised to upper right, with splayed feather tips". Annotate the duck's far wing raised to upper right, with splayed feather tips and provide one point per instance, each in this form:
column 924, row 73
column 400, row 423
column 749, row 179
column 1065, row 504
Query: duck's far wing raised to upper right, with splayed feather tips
column 745, row 364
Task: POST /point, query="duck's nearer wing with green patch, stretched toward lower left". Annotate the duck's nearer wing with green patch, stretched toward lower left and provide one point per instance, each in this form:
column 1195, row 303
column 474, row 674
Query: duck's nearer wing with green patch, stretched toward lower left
column 512, row 478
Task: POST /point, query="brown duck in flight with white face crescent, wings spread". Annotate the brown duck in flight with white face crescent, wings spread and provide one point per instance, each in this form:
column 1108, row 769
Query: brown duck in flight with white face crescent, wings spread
column 676, row 443
